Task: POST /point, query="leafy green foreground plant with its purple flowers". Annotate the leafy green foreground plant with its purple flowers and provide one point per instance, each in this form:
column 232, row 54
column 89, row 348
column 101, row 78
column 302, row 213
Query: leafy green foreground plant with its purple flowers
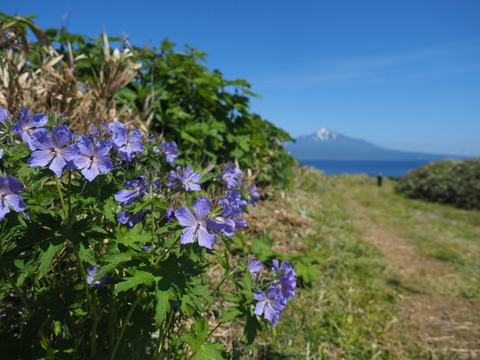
column 102, row 256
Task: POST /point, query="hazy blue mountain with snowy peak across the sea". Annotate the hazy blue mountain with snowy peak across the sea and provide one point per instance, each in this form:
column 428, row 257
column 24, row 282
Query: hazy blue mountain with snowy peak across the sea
column 326, row 144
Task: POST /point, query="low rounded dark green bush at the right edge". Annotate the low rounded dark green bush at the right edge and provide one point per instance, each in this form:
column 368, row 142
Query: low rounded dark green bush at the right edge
column 448, row 181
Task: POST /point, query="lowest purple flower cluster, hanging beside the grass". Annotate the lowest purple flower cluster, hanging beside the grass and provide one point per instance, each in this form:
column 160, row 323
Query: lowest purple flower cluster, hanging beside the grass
column 272, row 301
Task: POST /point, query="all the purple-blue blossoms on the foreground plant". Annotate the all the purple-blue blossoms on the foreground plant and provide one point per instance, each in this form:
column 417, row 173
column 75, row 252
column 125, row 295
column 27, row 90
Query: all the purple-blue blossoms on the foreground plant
column 111, row 145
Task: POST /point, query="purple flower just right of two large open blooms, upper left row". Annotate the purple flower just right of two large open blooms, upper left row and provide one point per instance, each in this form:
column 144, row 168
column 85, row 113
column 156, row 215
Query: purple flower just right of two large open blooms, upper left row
column 126, row 143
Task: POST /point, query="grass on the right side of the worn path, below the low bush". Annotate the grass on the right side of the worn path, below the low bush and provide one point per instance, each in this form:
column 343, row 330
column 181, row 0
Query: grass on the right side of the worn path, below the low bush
column 441, row 232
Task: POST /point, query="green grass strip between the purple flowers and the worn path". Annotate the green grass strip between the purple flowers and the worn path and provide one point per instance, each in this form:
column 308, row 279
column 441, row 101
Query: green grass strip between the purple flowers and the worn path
column 345, row 312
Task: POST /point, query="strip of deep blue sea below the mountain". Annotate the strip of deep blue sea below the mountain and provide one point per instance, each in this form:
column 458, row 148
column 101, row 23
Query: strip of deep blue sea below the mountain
column 392, row 168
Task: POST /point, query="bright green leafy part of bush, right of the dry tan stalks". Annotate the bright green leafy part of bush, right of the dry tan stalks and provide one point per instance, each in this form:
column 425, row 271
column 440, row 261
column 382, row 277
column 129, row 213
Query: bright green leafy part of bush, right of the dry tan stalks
column 196, row 107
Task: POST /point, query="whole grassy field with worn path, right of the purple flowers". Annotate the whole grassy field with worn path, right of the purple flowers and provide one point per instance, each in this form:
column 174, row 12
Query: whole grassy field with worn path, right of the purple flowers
column 381, row 276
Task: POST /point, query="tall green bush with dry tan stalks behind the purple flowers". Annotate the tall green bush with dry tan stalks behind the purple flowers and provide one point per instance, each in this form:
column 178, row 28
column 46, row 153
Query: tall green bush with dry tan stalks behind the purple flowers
column 158, row 90
